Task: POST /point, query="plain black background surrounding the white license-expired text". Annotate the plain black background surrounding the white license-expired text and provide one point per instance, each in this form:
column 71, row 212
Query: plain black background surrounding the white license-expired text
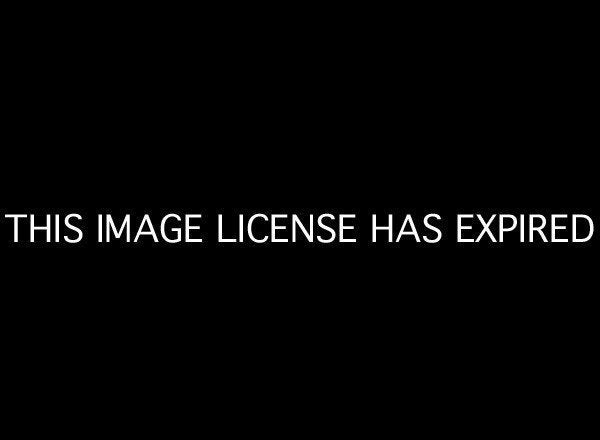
column 368, row 113
